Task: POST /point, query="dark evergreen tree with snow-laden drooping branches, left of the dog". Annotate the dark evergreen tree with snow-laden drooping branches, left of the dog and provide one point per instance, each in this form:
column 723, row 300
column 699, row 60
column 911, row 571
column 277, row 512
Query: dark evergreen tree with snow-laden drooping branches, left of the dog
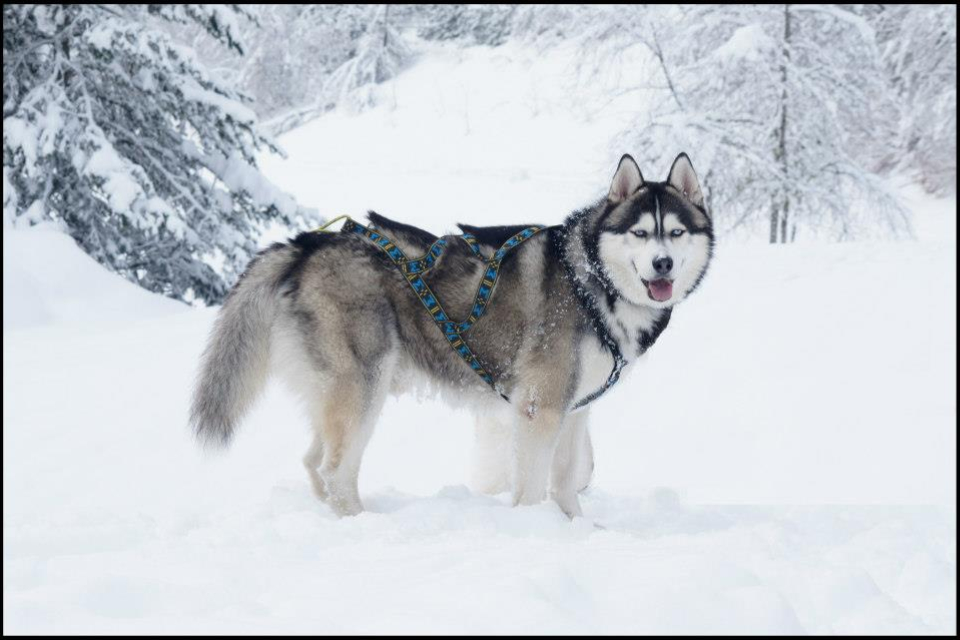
column 123, row 138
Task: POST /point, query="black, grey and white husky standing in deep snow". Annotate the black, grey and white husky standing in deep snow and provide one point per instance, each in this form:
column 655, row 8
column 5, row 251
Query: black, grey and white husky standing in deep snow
column 574, row 306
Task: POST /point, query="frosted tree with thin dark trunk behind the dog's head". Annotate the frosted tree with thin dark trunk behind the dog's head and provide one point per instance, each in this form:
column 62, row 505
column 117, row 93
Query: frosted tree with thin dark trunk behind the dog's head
column 771, row 100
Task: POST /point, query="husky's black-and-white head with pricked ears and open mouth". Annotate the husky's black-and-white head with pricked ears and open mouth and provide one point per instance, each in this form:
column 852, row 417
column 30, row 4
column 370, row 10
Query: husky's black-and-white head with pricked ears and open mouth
column 655, row 239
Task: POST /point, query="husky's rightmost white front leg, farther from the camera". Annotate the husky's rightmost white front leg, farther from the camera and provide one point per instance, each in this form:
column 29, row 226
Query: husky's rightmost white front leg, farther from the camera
column 572, row 464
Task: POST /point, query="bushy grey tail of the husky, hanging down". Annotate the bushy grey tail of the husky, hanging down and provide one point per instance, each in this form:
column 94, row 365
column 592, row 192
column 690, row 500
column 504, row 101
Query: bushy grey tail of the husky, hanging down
column 236, row 361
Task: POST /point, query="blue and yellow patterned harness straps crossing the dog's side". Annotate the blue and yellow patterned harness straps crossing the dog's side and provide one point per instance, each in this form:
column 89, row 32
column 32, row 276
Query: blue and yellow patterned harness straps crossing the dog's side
column 414, row 270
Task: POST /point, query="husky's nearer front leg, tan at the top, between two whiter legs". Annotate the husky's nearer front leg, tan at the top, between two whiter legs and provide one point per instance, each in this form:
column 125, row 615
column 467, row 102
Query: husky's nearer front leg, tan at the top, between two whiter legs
column 535, row 438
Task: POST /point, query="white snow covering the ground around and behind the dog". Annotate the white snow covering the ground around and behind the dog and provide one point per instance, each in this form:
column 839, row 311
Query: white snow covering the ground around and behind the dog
column 784, row 461
